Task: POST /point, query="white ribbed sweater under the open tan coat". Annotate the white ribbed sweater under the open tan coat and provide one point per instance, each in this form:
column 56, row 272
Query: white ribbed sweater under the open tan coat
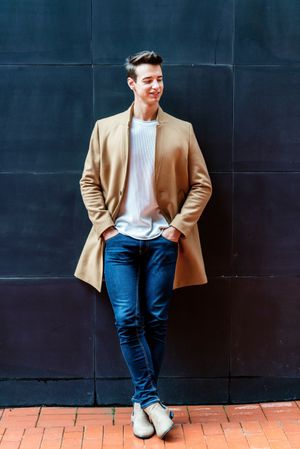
column 139, row 215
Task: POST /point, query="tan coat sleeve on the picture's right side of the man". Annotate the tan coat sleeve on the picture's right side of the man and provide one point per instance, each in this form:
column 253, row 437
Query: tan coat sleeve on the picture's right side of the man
column 200, row 189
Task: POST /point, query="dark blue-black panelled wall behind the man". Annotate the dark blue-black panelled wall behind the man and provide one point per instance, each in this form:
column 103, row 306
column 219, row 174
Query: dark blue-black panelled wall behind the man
column 232, row 69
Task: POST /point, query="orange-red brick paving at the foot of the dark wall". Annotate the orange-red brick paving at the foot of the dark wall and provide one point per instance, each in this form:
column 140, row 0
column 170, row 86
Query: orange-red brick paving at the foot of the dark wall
column 273, row 425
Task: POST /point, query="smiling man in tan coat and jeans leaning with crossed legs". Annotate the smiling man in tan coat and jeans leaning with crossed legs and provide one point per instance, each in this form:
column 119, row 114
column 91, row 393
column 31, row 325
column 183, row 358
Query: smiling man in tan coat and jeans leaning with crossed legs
column 145, row 185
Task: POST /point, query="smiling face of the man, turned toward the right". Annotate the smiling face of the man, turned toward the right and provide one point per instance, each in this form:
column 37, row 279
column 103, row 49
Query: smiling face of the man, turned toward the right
column 148, row 87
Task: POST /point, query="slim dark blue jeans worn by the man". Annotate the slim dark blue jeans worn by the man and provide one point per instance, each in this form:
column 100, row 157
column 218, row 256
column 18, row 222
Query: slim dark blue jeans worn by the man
column 139, row 278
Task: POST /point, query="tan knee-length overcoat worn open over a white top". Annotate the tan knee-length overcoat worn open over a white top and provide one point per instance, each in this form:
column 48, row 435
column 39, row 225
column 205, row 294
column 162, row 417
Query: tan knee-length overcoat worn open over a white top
column 182, row 186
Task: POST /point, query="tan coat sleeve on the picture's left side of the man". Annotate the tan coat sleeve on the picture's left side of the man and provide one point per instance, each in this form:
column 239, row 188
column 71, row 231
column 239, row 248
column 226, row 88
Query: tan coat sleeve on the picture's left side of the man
column 90, row 186
